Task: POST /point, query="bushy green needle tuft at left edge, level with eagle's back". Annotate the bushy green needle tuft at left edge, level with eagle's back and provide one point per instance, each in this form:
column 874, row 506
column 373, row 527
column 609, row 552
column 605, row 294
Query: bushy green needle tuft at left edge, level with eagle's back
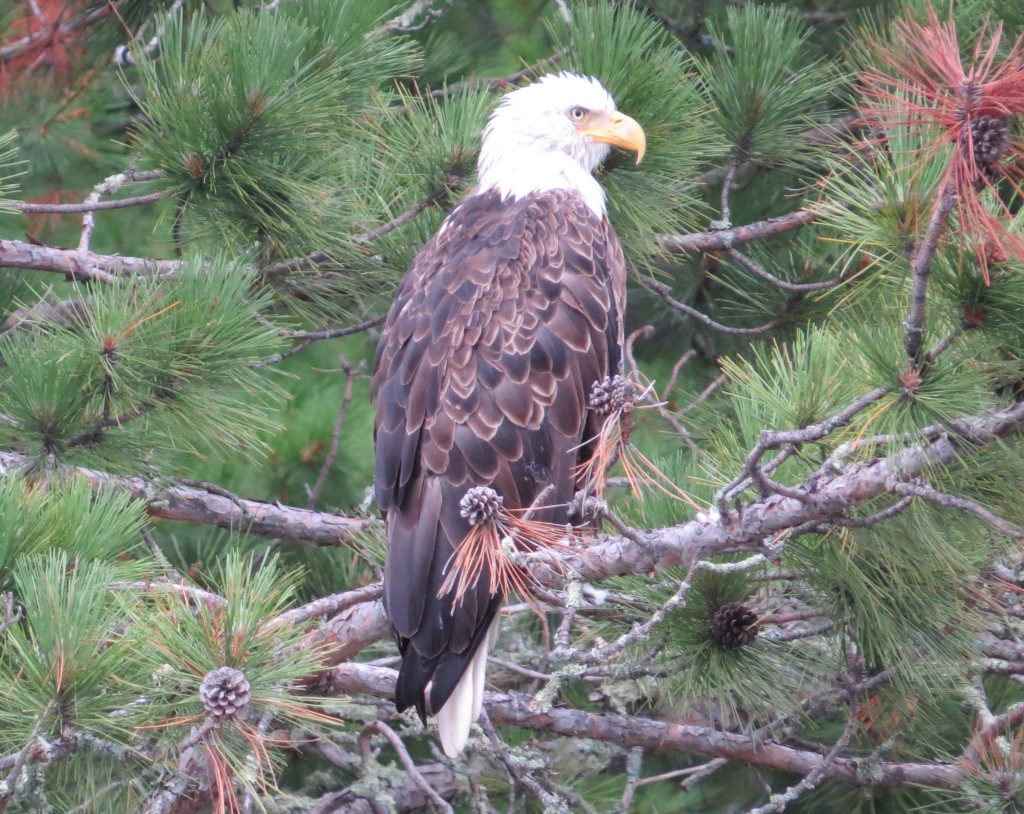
column 158, row 366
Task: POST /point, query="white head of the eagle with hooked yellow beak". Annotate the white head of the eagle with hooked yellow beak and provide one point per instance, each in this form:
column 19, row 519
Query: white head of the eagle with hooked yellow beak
column 552, row 136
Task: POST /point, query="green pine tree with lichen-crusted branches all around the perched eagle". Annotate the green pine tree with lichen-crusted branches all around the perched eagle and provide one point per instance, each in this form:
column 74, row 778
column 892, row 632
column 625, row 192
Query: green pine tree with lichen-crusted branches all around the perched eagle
column 805, row 594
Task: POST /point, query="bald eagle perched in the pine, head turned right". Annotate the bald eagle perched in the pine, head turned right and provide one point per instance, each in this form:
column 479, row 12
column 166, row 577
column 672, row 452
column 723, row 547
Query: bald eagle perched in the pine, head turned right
column 501, row 329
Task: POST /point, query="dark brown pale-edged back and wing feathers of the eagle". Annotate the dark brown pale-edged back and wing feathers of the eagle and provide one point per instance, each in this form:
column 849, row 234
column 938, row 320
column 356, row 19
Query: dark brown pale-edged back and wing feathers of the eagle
column 498, row 333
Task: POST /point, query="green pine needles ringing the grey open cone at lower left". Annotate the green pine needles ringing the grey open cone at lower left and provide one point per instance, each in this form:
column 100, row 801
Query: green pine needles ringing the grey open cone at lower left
column 186, row 641
